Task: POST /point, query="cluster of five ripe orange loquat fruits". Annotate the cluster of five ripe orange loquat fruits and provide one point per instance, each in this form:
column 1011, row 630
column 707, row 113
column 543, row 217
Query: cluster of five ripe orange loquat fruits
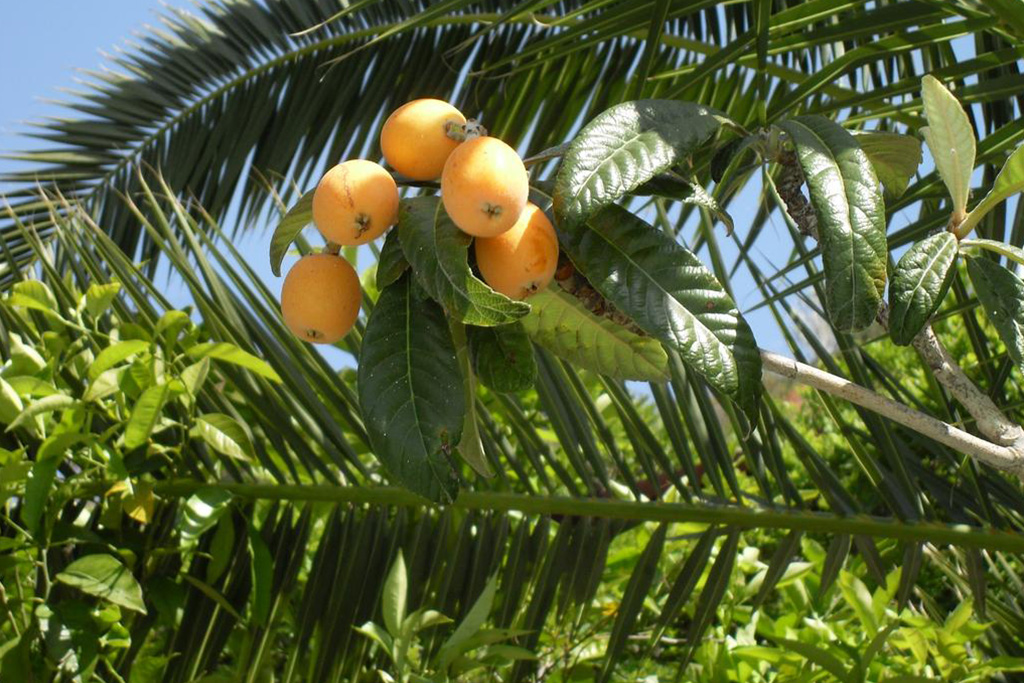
column 485, row 191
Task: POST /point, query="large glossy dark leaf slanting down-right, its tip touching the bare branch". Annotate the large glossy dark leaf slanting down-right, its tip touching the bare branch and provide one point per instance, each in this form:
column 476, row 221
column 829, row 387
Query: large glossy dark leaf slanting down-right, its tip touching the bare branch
column 669, row 293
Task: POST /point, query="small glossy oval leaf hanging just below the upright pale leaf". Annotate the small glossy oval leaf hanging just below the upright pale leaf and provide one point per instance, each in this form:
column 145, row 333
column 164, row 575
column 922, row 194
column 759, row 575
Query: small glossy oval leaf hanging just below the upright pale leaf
column 920, row 284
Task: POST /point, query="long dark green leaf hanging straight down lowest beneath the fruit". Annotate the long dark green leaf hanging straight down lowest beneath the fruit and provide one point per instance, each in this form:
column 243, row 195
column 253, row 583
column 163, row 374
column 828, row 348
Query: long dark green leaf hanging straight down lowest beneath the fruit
column 411, row 392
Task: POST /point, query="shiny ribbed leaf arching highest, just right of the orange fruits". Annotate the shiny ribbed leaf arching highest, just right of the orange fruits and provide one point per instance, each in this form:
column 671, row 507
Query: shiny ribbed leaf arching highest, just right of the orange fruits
column 623, row 148
